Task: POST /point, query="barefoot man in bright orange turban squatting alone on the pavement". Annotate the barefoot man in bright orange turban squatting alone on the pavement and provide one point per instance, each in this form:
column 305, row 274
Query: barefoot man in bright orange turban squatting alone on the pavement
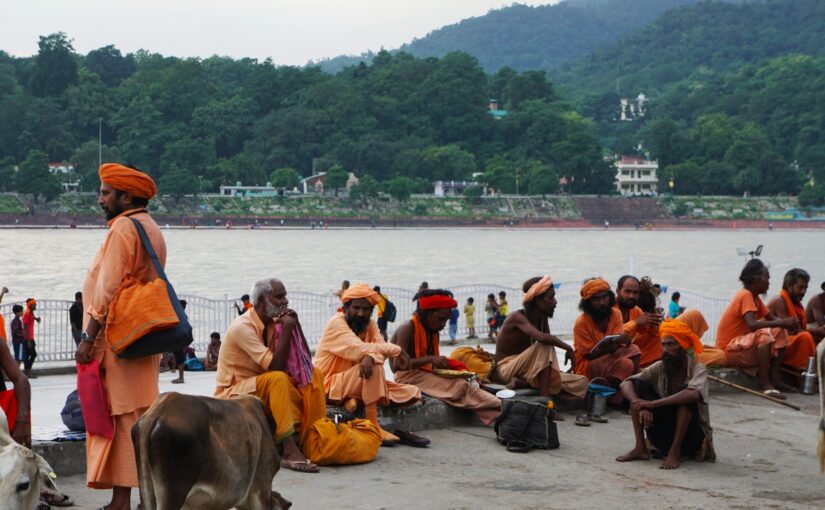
column 669, row 401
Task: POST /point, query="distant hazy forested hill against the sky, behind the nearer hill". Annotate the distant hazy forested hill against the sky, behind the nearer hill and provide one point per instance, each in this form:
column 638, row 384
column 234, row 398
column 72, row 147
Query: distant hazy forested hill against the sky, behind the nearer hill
column 524, row 37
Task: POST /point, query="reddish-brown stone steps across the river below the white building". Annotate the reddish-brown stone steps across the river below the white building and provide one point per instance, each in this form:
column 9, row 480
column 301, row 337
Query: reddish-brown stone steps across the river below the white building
column 620, row 209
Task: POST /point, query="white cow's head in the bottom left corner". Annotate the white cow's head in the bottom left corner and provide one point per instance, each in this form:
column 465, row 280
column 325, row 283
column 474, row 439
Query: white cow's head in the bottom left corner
column 22, row 472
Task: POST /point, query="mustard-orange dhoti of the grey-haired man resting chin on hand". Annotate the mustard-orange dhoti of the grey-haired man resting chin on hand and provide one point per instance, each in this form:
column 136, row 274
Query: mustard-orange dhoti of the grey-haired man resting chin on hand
column 293, row 409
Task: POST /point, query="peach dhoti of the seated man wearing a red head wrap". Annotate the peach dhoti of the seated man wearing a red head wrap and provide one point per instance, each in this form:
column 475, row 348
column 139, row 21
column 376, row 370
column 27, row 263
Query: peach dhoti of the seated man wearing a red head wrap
column 454, row 392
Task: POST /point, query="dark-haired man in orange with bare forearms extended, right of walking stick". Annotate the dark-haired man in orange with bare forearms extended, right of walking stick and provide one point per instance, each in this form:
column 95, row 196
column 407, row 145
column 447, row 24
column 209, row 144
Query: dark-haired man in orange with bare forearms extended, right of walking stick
column 752, row 338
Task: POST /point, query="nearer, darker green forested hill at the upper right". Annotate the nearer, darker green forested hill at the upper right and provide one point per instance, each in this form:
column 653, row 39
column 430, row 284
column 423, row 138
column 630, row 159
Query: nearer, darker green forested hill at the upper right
column 696, row 41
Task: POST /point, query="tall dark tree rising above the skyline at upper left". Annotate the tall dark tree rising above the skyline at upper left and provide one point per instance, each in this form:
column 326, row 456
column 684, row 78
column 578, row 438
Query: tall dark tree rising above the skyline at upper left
column 54, row 66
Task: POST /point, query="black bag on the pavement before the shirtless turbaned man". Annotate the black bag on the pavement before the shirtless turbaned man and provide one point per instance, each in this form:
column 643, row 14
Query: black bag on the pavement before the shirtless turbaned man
column 522, row 426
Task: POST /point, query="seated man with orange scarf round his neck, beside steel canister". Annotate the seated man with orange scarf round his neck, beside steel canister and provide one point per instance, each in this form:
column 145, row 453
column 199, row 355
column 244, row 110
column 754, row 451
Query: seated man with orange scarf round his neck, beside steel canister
column 802, row 345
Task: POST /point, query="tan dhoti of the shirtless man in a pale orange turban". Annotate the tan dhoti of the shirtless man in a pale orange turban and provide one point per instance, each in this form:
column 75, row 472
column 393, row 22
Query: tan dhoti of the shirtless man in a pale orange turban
column 532, row 361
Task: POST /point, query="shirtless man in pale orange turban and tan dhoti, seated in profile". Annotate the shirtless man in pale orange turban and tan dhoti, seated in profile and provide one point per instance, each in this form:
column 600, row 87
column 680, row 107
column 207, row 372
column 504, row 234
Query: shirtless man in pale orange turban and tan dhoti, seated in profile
column 526, row 351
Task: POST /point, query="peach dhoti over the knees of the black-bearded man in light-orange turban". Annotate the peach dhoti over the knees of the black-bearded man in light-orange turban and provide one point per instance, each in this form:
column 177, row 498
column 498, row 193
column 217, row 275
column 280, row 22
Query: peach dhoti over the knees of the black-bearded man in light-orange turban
column 375, row 390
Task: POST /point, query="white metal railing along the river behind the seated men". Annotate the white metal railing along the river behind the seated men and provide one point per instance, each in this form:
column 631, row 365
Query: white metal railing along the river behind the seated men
column 54, row 339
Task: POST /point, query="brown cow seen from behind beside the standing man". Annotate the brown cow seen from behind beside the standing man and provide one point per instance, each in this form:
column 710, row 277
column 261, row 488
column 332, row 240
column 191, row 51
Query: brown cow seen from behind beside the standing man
column 203, row 453
